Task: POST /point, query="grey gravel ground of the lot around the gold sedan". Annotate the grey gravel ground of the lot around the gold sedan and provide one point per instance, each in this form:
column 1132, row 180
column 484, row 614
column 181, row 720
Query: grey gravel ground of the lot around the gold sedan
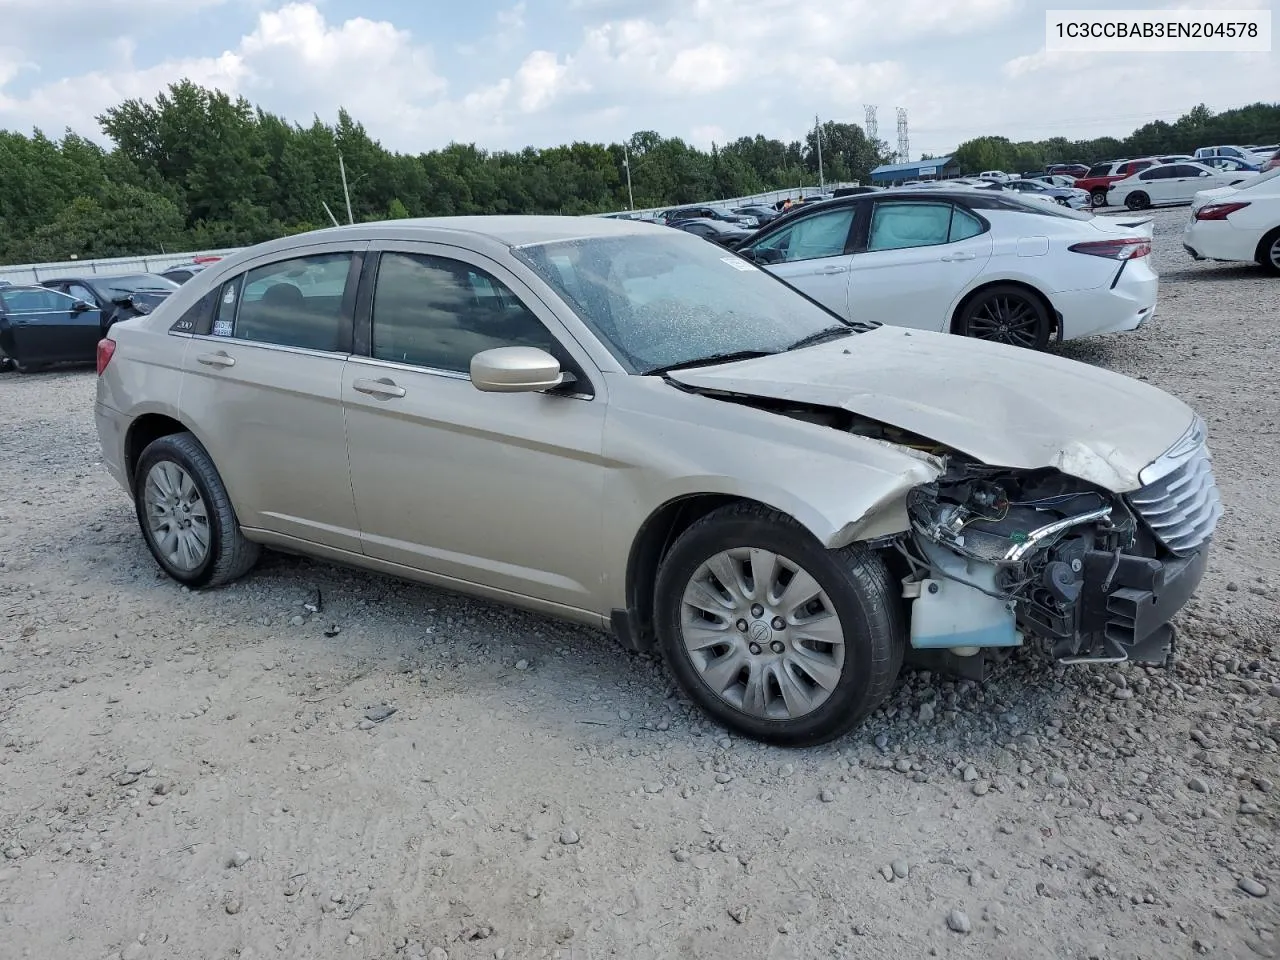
column 409, row 774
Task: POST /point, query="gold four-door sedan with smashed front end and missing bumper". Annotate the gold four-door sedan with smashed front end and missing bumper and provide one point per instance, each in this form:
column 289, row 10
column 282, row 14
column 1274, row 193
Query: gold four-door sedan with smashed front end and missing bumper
column 628, row 427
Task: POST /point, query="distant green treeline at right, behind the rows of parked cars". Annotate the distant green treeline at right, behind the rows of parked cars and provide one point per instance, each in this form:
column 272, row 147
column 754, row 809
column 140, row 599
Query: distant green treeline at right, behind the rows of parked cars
column 1258, row 124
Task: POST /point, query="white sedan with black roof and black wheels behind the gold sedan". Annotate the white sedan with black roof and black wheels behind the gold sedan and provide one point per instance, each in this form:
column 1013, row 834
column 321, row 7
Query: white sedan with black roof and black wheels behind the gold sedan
column 976, row 263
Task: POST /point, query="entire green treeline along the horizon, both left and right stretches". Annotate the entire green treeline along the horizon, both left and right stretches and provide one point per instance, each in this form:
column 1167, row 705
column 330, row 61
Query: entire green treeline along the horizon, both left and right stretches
column 195, row 170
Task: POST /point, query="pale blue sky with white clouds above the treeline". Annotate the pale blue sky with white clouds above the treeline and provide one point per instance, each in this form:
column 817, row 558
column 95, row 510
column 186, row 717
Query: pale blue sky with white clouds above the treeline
column 508, row 74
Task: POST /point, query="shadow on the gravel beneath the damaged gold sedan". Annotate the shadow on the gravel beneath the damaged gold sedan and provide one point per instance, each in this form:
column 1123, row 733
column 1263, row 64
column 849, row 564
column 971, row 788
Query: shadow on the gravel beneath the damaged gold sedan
column 577, row 674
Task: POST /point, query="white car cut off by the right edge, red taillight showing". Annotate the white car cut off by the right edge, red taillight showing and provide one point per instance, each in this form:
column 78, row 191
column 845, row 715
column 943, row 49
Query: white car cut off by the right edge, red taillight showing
column 1238, row 225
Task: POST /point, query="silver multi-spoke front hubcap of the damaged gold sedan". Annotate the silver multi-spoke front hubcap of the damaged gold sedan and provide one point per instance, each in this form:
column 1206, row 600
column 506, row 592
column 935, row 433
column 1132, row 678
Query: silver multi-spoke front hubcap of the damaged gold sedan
column 762, row 634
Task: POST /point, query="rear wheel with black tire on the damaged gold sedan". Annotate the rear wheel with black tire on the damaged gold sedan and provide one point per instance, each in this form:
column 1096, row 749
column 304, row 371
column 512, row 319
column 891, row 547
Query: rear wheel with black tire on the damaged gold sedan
column 227, row 554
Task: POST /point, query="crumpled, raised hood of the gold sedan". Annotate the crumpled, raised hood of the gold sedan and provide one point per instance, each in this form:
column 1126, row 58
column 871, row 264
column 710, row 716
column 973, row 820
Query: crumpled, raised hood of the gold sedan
column 1004, row 406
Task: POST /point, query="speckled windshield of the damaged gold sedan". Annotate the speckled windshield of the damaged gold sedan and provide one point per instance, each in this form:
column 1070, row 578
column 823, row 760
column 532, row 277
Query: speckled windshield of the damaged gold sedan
column 660, row 301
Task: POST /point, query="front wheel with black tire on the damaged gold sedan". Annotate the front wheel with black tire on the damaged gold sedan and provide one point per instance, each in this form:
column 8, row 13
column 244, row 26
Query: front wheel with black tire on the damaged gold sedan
column 852, row 583
